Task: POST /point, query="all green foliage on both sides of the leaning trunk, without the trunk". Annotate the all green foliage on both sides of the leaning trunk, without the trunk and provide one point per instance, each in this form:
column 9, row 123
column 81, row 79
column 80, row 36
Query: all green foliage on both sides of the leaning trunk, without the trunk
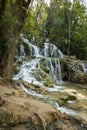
column 64, row 23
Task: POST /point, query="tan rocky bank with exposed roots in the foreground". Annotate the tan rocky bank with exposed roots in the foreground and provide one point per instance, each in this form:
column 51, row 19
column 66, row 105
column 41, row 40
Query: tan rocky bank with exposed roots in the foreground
column 21, row 111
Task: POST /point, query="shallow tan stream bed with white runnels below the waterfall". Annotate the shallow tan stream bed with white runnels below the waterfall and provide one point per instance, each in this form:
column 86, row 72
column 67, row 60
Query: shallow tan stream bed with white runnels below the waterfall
column 67, row 98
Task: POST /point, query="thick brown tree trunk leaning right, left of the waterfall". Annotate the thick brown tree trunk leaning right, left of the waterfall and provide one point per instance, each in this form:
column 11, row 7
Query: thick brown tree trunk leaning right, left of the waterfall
column 8, row 56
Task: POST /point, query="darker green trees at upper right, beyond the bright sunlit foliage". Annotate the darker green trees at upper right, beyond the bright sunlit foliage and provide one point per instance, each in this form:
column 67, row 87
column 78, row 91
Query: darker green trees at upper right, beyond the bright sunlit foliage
column 65, row 20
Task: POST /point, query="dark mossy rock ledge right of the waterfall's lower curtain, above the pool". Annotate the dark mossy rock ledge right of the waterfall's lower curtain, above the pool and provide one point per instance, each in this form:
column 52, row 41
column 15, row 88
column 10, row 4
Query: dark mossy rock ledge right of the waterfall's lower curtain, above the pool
column 73, row 71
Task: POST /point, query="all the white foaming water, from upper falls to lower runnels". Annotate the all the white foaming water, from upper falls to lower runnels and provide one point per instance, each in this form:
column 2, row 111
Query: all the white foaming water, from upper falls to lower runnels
column 51, row 54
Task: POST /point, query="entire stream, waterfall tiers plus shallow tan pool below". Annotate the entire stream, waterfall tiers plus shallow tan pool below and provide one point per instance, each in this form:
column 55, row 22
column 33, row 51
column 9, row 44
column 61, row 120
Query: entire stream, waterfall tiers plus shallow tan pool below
column 42, row 65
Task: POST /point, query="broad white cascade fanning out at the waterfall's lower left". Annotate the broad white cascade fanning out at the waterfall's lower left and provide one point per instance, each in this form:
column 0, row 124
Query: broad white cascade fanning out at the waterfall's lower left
column 25, row 72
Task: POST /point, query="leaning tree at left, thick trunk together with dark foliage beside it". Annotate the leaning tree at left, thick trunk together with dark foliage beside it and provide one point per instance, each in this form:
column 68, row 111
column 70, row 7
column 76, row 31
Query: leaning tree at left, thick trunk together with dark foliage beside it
column 12, row 19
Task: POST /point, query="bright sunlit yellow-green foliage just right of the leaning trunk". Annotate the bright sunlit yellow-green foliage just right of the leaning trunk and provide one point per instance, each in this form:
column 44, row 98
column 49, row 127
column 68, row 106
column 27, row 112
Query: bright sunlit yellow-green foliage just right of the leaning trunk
column 34, row 26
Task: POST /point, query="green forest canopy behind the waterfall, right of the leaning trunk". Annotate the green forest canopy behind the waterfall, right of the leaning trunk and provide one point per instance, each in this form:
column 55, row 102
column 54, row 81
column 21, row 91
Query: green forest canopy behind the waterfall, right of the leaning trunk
column 64, row 23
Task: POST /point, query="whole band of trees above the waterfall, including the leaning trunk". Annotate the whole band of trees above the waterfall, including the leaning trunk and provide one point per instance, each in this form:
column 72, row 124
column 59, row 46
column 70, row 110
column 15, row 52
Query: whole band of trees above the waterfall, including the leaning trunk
column 64, row 23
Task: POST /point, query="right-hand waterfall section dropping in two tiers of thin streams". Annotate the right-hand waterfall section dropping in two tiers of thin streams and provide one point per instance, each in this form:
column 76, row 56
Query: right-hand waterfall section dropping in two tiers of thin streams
column 52, row 54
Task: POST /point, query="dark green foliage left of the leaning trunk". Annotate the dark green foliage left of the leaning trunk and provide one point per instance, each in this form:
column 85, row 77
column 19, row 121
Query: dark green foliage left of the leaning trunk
column 8, row 25
